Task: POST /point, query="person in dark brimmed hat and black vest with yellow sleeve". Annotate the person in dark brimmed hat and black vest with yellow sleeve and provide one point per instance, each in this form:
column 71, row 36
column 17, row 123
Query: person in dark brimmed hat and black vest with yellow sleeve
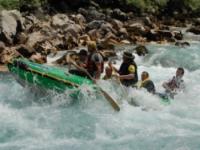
column 128, row 70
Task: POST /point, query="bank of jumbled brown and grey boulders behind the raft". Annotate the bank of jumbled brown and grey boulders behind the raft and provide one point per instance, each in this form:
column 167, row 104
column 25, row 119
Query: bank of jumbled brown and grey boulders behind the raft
column 36, row 35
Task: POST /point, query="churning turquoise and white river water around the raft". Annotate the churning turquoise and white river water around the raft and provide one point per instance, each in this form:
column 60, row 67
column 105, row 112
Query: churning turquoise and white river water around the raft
column 56, row 122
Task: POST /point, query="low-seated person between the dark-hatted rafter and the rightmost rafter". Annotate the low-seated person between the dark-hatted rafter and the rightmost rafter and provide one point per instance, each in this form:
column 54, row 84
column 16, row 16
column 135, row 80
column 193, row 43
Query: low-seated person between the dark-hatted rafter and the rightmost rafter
column 146, row 83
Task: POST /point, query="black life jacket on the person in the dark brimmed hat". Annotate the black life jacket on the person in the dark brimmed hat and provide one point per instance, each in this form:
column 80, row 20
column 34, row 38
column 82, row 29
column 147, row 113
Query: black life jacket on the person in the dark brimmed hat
column 124, row 71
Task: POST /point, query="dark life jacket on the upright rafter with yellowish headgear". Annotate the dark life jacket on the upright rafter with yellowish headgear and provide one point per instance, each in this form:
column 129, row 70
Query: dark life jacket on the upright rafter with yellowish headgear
column 91, row 67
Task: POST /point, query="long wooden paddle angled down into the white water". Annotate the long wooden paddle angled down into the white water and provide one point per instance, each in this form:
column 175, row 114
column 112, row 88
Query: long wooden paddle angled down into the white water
column 106, row 95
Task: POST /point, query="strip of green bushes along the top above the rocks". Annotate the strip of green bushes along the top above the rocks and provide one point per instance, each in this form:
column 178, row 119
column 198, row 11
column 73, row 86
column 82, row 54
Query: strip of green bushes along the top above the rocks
column 139, row 6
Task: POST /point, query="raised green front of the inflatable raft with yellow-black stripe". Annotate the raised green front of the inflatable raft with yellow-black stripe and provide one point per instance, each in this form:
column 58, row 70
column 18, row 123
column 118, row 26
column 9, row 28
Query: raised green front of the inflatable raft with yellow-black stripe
column 44, row 76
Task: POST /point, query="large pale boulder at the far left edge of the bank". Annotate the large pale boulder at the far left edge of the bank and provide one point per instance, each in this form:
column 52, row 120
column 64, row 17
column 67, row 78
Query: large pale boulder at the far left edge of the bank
column 11, row 23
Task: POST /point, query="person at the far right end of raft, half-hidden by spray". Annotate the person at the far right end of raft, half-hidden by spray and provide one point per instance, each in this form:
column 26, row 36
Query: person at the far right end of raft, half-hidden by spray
column 175, row 84
